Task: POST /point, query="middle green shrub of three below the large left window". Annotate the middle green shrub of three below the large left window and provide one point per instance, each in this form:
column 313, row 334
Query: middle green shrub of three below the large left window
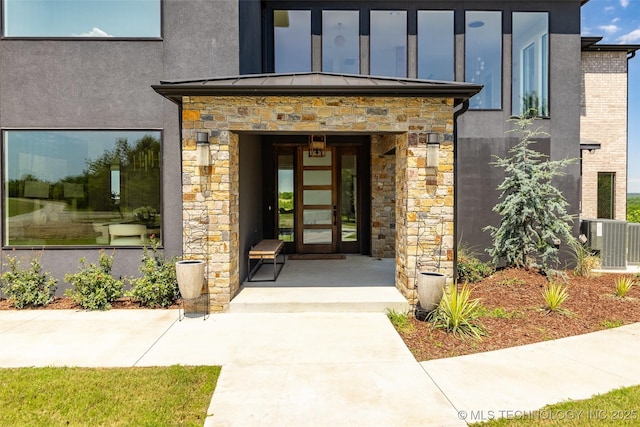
column 94, row 287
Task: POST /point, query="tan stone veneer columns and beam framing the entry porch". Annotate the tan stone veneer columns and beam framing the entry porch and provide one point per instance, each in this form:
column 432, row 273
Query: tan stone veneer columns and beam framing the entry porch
column 423, row 196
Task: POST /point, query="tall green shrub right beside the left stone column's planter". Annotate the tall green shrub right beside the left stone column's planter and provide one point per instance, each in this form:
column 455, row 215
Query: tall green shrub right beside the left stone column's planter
column 158, row 286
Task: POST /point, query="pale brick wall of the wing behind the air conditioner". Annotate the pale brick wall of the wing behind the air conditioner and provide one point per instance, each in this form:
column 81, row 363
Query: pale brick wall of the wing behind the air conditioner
column 604, row 121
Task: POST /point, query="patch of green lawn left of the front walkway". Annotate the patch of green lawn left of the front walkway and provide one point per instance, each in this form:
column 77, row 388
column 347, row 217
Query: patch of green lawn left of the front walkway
column 156, row 396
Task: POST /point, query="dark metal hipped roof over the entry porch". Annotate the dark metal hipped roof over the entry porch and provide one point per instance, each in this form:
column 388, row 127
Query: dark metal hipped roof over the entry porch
column 314, row 83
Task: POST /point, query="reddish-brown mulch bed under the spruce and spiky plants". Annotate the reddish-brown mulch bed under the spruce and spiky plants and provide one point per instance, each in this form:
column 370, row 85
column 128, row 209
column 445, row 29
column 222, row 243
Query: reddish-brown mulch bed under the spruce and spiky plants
column 517, row 294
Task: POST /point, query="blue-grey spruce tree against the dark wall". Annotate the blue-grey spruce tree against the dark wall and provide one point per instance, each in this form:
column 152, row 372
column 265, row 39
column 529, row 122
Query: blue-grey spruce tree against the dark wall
column 533, row 211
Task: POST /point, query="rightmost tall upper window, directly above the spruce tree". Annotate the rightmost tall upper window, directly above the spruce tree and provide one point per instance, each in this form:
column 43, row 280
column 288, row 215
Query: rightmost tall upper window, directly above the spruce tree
column 530, row 56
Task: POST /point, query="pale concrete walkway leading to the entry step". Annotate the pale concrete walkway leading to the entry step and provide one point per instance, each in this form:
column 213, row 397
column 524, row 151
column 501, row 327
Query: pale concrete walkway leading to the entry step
column 319, row 369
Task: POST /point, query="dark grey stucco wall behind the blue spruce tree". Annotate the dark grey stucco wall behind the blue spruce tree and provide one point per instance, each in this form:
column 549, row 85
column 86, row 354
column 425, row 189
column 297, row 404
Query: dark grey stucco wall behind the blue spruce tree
column 482, row 135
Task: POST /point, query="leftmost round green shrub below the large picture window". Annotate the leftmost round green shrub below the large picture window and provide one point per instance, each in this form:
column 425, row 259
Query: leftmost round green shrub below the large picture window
column 29, row 287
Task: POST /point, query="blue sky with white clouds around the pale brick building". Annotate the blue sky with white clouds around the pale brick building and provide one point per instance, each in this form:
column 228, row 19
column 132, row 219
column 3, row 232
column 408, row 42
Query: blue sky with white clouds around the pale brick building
column 618, row 21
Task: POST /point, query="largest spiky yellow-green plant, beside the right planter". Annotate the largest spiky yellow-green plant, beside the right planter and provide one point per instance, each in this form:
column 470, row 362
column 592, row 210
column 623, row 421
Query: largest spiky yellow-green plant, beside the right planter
column 458, row 313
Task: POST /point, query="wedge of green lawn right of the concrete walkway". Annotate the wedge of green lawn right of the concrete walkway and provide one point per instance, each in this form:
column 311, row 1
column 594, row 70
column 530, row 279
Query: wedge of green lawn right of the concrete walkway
column 616, row 408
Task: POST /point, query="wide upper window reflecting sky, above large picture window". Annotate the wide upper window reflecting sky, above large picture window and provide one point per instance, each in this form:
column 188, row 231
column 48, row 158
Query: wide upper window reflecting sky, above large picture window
column 81, row 19
